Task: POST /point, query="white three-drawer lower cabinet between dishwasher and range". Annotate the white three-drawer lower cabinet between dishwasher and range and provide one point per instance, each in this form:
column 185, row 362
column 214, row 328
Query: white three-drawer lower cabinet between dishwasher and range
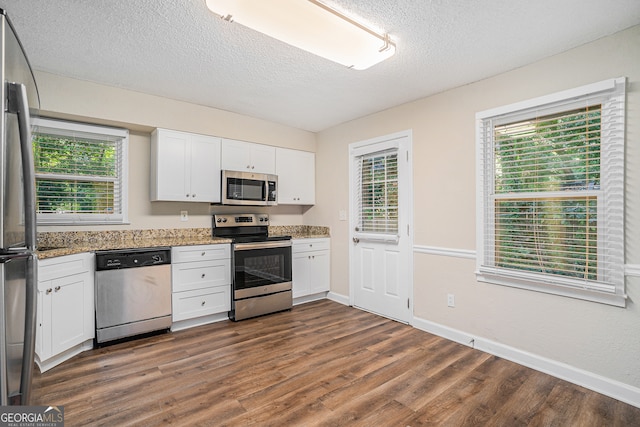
column 201, row 281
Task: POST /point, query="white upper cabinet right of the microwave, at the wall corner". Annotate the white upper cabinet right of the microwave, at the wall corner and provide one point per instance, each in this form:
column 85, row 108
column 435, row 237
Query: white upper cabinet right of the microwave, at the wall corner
column 296, row 172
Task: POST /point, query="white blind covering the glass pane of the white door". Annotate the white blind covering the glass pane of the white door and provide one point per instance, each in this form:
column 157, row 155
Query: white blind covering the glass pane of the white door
column 377, row 199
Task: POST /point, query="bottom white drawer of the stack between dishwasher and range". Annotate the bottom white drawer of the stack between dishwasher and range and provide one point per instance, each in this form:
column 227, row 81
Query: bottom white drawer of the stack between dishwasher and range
column 203, row 302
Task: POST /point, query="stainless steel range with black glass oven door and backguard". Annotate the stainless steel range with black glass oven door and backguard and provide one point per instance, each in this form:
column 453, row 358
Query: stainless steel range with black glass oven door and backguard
column 261, row 265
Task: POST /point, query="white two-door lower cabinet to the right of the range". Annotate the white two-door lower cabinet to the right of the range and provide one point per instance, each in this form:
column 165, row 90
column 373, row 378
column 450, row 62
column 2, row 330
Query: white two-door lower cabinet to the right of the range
column 310, row 267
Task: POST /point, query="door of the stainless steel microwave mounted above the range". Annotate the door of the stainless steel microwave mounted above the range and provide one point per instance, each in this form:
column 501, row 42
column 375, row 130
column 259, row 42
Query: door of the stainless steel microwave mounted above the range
column 243, row 188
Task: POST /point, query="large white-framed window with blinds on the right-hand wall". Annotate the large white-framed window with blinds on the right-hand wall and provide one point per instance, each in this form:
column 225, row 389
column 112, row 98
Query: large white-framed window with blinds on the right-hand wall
column 551, row 205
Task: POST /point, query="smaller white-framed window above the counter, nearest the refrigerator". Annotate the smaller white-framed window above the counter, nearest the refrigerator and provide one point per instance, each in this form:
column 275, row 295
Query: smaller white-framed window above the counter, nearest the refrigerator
column 80, row 173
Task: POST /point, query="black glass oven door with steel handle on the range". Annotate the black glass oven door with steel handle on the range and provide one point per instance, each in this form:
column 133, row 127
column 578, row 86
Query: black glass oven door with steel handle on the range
column 261, row 268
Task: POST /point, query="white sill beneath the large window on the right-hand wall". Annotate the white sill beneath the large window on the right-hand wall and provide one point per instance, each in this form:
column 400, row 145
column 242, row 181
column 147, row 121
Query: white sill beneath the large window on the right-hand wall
column 602, row 297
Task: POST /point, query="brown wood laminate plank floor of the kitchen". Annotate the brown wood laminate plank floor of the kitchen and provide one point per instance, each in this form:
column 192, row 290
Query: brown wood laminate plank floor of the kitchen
column 320, row 364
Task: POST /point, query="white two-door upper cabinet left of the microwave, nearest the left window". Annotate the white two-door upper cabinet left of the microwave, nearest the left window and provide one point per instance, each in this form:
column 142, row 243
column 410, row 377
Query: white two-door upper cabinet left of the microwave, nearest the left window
column 185, row 167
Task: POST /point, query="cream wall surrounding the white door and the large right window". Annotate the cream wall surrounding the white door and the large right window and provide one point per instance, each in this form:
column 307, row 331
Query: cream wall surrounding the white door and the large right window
column 599, row 339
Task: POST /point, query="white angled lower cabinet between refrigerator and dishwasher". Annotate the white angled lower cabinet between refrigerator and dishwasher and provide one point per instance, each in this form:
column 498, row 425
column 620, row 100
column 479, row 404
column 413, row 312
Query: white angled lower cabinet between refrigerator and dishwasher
column 65, row 312
